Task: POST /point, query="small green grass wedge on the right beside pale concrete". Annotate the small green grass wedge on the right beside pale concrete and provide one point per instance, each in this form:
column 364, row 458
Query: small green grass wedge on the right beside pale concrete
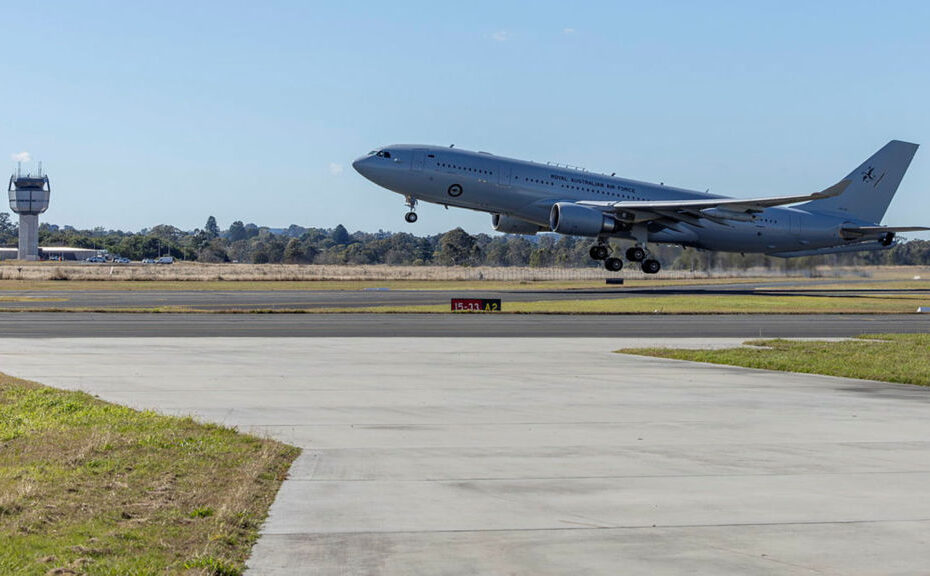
column 903, row 358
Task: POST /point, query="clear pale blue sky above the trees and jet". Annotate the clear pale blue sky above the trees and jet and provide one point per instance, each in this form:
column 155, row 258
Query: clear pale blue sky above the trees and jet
column 169, row 112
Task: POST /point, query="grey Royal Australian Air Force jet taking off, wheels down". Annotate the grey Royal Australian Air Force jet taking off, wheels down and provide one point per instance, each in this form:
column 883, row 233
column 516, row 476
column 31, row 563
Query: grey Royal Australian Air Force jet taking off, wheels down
column 526, row 198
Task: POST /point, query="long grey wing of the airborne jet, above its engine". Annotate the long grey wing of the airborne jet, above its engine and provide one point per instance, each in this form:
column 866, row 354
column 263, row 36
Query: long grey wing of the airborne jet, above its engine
column 714, row 209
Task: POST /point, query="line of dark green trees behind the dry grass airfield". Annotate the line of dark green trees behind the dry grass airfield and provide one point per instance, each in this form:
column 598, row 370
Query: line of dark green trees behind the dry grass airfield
column 299, row 245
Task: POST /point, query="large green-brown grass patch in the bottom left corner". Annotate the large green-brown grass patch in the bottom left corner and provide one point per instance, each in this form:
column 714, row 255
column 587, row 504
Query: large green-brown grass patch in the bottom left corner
column 88, row 487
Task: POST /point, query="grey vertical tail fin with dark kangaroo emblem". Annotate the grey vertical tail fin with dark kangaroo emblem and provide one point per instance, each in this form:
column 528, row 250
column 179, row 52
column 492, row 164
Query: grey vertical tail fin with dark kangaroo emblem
column 873, row 185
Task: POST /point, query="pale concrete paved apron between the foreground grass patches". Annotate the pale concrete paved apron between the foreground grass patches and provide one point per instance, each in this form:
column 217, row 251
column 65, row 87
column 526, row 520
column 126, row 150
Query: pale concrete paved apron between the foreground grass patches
column 538, row 457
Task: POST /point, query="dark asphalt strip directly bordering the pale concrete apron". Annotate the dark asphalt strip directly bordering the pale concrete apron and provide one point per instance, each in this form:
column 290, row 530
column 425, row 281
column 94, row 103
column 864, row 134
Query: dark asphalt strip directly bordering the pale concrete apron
column 81, row 324
